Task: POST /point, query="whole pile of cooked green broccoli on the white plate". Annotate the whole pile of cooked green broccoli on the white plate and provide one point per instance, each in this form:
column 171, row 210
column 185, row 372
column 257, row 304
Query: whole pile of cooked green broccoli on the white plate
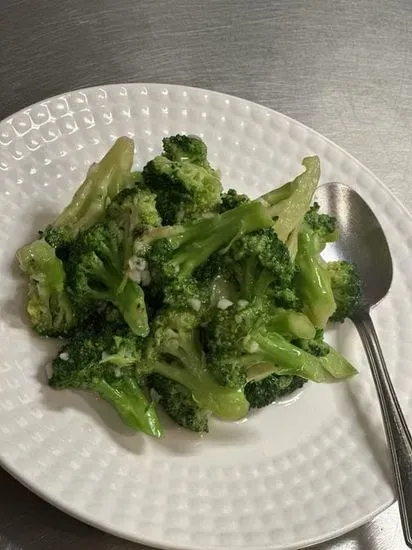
column 167, row 285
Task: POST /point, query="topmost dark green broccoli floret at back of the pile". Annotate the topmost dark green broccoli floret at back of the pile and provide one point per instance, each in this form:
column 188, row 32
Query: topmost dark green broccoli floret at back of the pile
column 185, row 184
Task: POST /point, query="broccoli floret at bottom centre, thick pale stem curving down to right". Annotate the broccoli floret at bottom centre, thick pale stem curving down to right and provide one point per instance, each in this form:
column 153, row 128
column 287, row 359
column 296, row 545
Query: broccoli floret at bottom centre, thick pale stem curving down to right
column 175, row 352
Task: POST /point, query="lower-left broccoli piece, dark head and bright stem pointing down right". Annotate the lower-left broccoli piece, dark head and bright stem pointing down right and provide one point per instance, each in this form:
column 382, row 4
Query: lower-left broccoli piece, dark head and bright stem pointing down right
column 102, row 361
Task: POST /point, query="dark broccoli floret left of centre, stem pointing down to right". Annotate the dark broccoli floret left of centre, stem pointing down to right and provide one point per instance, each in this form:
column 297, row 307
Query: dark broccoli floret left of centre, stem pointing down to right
column 96, row 272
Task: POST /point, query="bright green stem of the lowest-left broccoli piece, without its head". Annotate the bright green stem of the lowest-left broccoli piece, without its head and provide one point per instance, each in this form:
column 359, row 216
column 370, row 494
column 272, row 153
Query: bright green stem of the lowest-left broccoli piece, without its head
column 130, row 402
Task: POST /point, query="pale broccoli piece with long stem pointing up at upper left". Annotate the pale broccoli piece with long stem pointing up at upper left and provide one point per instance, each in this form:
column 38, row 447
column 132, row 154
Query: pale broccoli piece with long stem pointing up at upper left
column 104, row 180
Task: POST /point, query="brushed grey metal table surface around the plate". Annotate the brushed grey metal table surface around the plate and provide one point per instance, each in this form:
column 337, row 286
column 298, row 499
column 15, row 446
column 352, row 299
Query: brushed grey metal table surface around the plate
column 341, row 67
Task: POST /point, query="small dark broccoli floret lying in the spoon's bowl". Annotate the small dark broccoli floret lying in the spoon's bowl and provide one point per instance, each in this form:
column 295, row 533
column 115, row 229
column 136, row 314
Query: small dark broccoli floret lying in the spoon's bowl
column 347, row 289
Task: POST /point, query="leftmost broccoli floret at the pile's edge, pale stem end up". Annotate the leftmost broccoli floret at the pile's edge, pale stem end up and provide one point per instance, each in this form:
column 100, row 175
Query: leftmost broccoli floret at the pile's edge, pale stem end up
column 49, row 307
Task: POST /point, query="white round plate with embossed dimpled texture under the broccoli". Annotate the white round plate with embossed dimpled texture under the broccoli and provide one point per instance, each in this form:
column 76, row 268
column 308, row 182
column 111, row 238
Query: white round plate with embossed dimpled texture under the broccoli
column 292, row 474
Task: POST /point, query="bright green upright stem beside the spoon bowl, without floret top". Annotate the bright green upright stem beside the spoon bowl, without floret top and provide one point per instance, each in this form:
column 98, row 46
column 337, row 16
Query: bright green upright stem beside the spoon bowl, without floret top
column 313, row 280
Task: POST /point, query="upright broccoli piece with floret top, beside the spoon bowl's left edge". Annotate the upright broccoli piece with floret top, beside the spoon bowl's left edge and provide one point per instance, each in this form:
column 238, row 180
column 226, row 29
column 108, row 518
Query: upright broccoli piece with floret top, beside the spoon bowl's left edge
column 313, row 280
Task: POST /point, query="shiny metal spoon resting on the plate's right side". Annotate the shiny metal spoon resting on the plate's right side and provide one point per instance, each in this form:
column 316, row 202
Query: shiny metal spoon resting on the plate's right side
column 362, row 241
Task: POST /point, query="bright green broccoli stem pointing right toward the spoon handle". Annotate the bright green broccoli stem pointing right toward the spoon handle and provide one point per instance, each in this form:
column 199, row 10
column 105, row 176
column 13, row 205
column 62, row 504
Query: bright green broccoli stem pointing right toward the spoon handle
column 291, row 360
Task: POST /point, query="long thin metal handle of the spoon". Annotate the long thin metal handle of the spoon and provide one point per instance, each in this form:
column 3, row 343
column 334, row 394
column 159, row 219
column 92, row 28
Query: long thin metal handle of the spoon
column 397, row 432
